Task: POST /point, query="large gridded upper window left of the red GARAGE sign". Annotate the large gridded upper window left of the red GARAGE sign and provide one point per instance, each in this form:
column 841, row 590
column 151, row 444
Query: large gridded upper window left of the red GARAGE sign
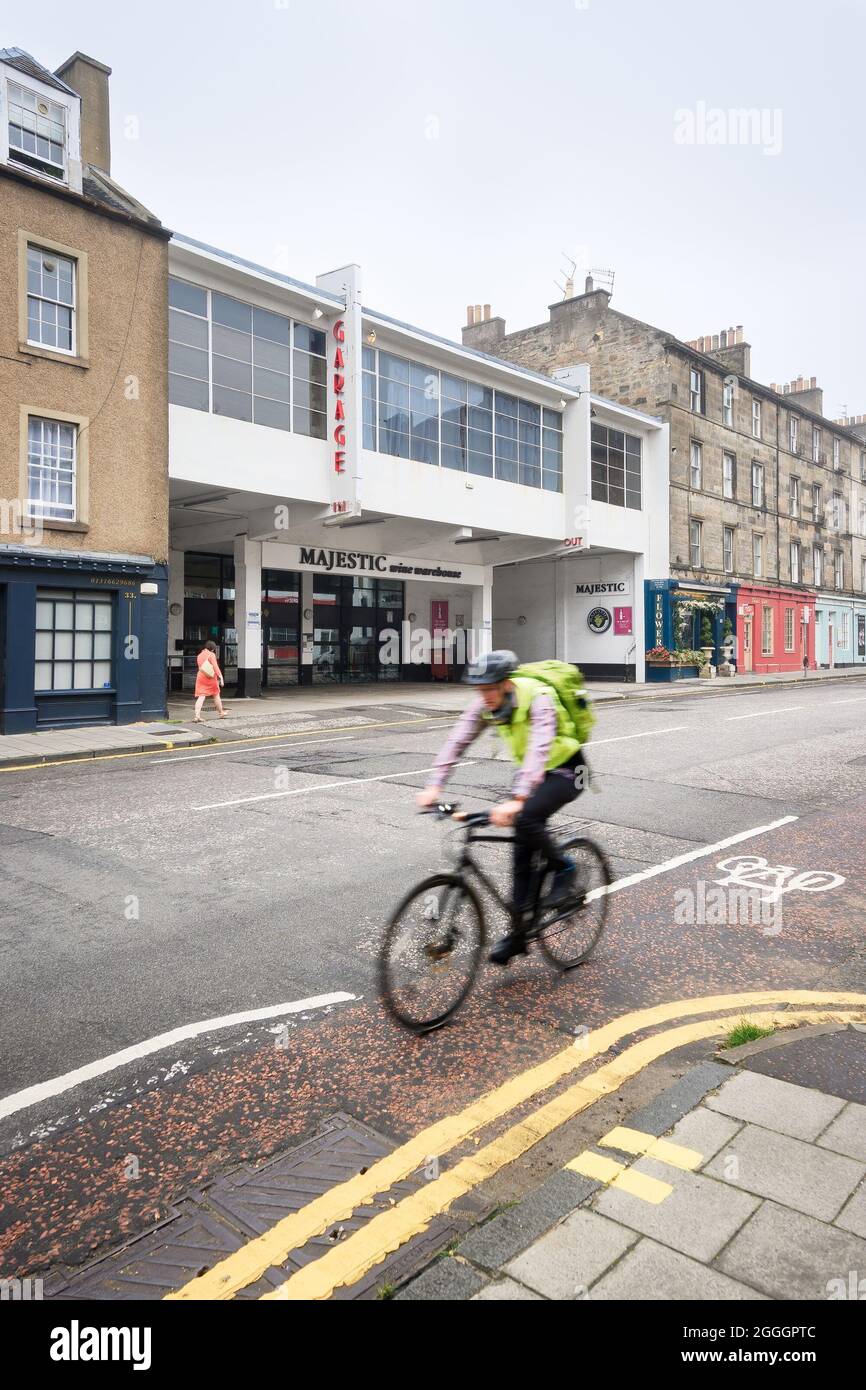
column 247, row 363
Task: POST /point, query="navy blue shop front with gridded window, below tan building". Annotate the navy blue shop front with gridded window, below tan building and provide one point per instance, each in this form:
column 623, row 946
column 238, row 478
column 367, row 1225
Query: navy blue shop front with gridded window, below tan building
column 83, row 640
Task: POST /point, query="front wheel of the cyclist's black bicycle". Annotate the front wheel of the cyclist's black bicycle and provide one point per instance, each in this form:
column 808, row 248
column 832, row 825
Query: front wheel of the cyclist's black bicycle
column 432, row 953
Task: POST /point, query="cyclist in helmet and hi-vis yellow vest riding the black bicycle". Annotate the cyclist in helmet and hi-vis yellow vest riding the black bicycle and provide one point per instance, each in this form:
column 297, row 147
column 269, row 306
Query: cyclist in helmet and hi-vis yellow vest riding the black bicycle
column 534, row 725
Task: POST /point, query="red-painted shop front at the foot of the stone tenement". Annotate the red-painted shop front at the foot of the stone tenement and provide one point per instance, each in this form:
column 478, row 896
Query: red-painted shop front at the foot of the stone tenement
column 775, row 629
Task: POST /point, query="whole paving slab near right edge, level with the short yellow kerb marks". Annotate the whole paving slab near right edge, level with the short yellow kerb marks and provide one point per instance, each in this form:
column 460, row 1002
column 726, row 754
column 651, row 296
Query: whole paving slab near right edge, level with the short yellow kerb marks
column 787, row 1171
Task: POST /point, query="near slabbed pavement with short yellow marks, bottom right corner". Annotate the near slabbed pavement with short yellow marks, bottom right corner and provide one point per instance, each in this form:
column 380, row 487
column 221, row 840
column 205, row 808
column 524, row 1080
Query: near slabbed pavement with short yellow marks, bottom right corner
column 733, row 1185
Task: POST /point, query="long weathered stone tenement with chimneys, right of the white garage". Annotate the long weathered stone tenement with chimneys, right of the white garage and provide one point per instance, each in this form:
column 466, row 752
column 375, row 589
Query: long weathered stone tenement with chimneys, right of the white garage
column 768, row 497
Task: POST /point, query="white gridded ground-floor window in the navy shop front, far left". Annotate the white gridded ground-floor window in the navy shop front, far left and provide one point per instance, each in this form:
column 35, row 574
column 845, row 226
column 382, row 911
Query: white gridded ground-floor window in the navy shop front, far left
column 73, row 640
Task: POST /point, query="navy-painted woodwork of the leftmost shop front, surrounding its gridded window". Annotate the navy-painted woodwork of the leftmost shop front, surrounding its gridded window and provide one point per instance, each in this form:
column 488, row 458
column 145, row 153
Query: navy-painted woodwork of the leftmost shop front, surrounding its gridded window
column 140, row 628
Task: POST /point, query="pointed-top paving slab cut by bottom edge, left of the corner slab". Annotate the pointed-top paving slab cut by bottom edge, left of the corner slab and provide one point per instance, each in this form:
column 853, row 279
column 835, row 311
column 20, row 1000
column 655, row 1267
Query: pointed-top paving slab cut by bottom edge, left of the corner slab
column 654, row 1273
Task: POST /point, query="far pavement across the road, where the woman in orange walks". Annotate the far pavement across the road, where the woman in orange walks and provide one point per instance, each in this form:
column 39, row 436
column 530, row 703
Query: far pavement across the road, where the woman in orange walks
column 330, row 707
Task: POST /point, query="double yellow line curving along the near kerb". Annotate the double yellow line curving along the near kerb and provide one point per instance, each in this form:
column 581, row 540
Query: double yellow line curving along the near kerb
column 348, row 1261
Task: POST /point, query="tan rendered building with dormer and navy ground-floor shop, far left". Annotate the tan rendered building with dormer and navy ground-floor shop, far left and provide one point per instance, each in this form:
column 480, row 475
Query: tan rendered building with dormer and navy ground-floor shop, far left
column 84, row 412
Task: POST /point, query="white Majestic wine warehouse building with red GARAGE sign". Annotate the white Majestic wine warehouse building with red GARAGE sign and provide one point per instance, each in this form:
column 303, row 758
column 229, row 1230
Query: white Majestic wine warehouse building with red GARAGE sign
column 338, row 476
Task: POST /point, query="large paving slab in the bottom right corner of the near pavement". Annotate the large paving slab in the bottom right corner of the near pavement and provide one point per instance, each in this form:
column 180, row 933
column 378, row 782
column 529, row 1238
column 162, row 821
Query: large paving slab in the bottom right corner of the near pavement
column 793, row 1257
